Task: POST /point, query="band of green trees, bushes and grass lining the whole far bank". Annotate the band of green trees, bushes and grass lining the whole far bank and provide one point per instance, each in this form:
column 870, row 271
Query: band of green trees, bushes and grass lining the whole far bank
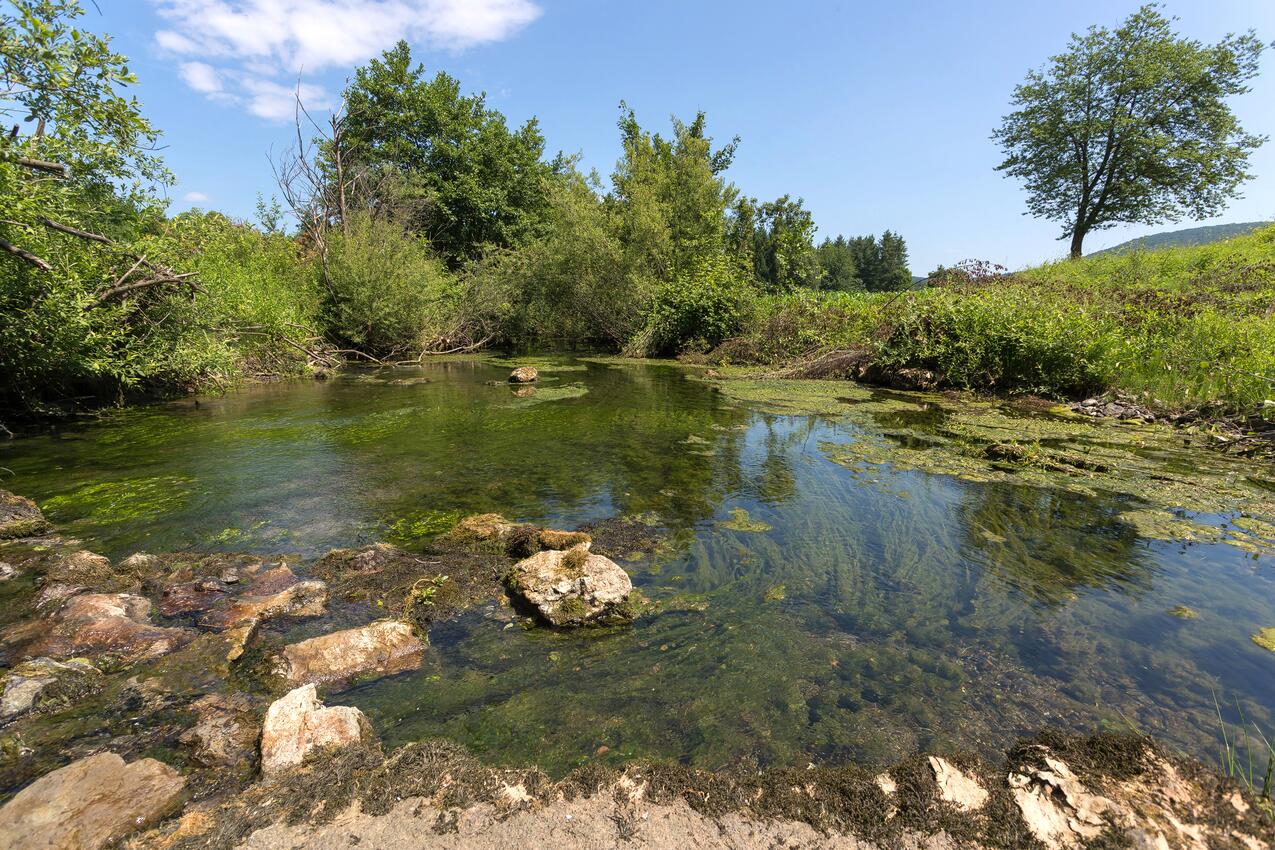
column 105, row 299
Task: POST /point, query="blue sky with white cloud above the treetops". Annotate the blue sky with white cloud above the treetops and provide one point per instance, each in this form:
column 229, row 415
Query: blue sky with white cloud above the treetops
column 878, row 114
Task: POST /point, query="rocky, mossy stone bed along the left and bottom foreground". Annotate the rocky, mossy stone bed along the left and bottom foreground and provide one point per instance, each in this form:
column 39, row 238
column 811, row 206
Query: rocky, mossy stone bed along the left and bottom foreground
column 154, row 703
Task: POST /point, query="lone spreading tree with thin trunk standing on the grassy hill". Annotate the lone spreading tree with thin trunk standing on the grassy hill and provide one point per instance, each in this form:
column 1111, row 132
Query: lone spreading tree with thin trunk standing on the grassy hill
column 1132, row 127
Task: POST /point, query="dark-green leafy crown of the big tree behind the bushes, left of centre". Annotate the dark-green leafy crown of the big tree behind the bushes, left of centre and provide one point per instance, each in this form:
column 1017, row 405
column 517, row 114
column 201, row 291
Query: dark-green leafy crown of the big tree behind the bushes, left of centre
column 463, row 179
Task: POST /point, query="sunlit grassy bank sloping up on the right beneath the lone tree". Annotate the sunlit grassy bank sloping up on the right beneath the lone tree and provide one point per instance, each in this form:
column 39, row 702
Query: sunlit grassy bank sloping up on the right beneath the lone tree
column 1190, row 328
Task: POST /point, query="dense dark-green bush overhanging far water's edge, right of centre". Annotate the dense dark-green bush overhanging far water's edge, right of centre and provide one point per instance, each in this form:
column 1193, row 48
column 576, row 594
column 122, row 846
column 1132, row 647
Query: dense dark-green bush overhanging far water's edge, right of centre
column 697, row 310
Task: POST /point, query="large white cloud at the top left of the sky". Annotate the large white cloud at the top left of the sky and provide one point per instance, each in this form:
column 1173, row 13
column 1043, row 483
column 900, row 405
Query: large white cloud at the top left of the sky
column 257, row 43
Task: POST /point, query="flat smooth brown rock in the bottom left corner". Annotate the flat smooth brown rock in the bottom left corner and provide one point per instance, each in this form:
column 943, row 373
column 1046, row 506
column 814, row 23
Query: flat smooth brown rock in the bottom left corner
column 90, row 805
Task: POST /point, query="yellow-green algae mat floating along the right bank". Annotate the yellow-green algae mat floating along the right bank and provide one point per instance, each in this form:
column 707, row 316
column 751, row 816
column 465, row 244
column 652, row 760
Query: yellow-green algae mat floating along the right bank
column 1165, row 479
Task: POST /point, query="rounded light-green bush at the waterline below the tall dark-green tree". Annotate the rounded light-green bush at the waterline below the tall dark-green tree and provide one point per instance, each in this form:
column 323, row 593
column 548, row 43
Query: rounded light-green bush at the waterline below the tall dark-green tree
column 388, row 295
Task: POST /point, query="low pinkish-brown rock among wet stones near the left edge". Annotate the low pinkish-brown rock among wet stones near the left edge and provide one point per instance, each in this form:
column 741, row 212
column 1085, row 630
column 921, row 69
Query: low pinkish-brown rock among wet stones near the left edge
column 94, row 625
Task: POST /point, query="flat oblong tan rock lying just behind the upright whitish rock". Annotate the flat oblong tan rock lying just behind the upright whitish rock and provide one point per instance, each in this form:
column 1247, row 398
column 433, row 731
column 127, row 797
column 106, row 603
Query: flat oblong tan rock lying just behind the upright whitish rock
column 383, row 648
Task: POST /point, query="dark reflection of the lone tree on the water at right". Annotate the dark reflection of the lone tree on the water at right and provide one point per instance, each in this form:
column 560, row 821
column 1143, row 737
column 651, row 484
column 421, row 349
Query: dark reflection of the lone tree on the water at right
column 1049, row 544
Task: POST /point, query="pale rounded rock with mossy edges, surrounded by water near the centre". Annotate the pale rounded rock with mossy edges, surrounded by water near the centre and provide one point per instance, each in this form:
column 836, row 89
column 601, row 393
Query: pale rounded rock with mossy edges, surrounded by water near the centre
column 572, row 588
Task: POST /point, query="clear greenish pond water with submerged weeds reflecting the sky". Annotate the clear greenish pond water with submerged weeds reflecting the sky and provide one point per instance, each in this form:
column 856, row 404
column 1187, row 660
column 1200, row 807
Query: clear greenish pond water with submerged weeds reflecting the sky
column 880, row 612
